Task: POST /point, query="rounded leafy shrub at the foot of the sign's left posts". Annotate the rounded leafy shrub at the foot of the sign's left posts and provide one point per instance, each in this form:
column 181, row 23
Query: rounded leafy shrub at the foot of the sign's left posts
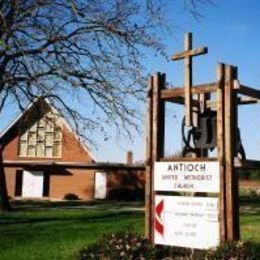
column 119, row 246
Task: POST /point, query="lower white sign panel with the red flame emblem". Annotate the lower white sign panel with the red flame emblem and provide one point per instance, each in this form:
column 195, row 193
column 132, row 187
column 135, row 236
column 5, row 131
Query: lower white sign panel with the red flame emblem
column 186, row 221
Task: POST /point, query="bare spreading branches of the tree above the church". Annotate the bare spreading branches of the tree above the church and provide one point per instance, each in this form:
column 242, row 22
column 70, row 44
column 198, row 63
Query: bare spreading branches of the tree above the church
column 89, row 48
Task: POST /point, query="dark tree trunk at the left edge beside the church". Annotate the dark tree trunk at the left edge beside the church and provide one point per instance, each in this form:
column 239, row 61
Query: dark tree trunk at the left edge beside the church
column 4, row 201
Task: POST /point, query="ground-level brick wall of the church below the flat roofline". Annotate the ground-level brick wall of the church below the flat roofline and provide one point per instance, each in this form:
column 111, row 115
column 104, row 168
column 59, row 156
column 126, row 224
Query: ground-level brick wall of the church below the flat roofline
column 122, row 184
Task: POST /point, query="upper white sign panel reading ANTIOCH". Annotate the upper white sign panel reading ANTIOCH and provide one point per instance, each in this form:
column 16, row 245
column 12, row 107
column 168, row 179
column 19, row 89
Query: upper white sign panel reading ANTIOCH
column 187, row 176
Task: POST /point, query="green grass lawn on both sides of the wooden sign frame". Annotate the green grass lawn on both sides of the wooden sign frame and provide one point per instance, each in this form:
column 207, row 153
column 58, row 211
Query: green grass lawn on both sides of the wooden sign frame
column 58, row 231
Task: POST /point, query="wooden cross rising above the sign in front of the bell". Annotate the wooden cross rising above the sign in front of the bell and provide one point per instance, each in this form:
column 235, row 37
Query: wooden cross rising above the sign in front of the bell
column 187, row 55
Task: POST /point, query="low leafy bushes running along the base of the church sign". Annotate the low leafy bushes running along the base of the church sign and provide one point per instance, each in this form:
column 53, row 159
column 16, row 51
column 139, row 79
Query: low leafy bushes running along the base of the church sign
column 127, row 246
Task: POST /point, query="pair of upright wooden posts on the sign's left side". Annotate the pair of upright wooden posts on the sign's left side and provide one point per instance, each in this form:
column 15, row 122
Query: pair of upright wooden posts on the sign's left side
column 156, row 150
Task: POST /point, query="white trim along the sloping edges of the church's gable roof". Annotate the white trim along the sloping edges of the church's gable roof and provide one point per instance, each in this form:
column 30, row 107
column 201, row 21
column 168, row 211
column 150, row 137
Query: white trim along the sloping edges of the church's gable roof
column 64, row 121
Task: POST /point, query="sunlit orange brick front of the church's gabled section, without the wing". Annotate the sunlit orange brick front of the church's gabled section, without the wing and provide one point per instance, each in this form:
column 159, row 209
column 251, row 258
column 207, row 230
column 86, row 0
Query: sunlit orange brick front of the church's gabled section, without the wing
column 79, row 182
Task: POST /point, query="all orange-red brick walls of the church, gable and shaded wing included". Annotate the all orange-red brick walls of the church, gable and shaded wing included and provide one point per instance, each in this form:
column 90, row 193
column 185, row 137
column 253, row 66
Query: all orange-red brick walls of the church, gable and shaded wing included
column 61, row 181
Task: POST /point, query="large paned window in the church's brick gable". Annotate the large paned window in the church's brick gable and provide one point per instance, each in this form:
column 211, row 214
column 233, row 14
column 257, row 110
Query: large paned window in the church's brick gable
column 41, row 139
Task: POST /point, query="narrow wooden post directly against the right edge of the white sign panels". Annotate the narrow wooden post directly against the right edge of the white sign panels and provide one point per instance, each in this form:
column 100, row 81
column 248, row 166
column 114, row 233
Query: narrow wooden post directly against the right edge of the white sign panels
column 221, row 147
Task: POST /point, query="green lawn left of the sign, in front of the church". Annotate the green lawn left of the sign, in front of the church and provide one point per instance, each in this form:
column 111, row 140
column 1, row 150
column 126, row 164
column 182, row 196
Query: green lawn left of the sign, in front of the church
column 59, row 233
